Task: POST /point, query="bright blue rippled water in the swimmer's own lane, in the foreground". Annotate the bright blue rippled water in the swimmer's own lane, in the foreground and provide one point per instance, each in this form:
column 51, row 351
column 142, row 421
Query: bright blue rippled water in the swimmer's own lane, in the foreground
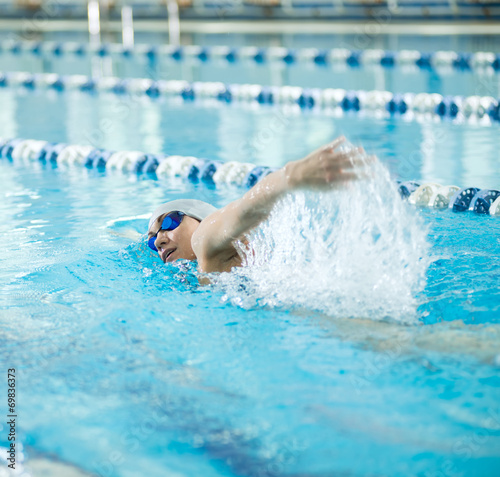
column 125, row 364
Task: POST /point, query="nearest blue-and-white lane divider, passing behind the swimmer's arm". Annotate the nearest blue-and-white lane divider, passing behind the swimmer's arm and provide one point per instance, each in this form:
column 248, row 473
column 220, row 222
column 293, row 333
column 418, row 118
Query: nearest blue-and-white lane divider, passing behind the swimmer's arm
column 218, row 173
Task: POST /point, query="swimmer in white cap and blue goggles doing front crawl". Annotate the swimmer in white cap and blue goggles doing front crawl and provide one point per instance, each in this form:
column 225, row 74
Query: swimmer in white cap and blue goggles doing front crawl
column 194, row 230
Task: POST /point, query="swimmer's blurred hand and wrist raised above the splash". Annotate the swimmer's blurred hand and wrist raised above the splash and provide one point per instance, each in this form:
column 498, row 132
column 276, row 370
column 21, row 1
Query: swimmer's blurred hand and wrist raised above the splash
column 328, row 167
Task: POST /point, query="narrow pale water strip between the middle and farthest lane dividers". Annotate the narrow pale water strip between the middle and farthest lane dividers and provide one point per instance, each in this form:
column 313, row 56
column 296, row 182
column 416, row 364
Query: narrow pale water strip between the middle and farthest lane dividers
column 445, row 81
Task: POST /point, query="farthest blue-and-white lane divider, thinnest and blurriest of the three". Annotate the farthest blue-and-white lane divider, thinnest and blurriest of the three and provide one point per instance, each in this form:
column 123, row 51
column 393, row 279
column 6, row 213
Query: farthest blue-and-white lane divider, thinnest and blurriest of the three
column 431, row 61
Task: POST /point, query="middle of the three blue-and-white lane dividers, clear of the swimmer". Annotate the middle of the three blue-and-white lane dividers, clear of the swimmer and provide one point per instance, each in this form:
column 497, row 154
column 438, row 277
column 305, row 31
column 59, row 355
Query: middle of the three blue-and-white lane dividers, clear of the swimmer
column 422, row 106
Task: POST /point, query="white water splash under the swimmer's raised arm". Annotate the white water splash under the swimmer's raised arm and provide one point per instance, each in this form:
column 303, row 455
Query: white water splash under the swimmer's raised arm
column 356, row 252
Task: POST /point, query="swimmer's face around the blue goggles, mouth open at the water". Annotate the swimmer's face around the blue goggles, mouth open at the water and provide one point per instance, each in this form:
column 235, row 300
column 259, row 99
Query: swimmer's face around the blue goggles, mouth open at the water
column 175, row 244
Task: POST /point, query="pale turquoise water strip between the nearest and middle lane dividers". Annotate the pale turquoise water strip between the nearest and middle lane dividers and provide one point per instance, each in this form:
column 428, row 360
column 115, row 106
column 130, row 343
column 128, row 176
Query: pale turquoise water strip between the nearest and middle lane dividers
column 462, row 154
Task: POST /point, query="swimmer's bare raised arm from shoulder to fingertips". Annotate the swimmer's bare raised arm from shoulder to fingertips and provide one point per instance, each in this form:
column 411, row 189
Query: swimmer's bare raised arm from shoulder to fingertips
column 213, row 240
